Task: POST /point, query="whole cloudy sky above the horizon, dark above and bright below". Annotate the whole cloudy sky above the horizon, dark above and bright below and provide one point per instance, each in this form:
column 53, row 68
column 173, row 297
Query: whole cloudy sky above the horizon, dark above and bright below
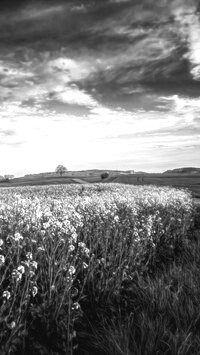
column 112, row 84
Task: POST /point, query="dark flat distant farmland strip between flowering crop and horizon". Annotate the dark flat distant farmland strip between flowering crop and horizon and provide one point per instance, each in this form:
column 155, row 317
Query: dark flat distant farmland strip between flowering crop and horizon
column 192, row 182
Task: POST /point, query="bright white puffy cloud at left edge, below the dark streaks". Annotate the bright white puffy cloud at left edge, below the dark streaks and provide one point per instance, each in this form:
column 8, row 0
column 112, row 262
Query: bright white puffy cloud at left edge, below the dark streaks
column 40, row 80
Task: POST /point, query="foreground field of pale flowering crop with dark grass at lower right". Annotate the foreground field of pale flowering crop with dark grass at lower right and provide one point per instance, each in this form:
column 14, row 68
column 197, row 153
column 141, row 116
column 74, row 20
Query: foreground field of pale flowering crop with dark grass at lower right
column 106, row 269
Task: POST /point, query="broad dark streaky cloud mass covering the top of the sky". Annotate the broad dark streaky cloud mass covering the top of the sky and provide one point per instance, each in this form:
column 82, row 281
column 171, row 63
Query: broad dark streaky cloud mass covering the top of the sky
column 106, row 46
